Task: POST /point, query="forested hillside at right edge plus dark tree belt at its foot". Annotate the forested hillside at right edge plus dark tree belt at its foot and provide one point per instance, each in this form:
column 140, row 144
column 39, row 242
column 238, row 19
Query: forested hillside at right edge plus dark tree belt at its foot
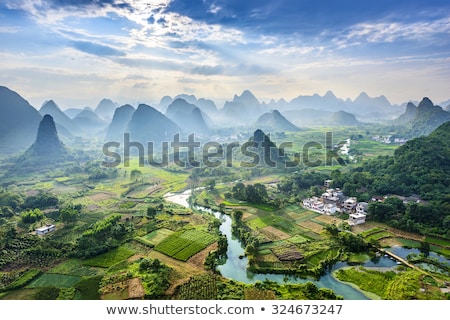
column 421, row 169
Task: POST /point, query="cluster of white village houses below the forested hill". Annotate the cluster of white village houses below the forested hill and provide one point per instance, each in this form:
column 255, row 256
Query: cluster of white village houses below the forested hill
column 333, row 200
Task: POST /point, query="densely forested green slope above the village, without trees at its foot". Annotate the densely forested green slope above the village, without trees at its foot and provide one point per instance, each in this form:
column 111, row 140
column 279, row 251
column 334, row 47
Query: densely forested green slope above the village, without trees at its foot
column 421, row 166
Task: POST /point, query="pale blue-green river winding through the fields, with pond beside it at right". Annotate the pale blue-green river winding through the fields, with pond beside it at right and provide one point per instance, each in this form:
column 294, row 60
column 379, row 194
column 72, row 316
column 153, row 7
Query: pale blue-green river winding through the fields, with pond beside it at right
column 235, row 266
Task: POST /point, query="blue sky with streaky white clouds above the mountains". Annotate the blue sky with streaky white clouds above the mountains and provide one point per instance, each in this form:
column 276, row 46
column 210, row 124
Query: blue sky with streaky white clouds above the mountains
column 137, row 51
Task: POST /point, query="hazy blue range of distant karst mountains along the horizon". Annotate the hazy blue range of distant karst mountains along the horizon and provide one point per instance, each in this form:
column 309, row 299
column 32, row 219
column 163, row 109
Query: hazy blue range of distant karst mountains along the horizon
column 188, row 114
